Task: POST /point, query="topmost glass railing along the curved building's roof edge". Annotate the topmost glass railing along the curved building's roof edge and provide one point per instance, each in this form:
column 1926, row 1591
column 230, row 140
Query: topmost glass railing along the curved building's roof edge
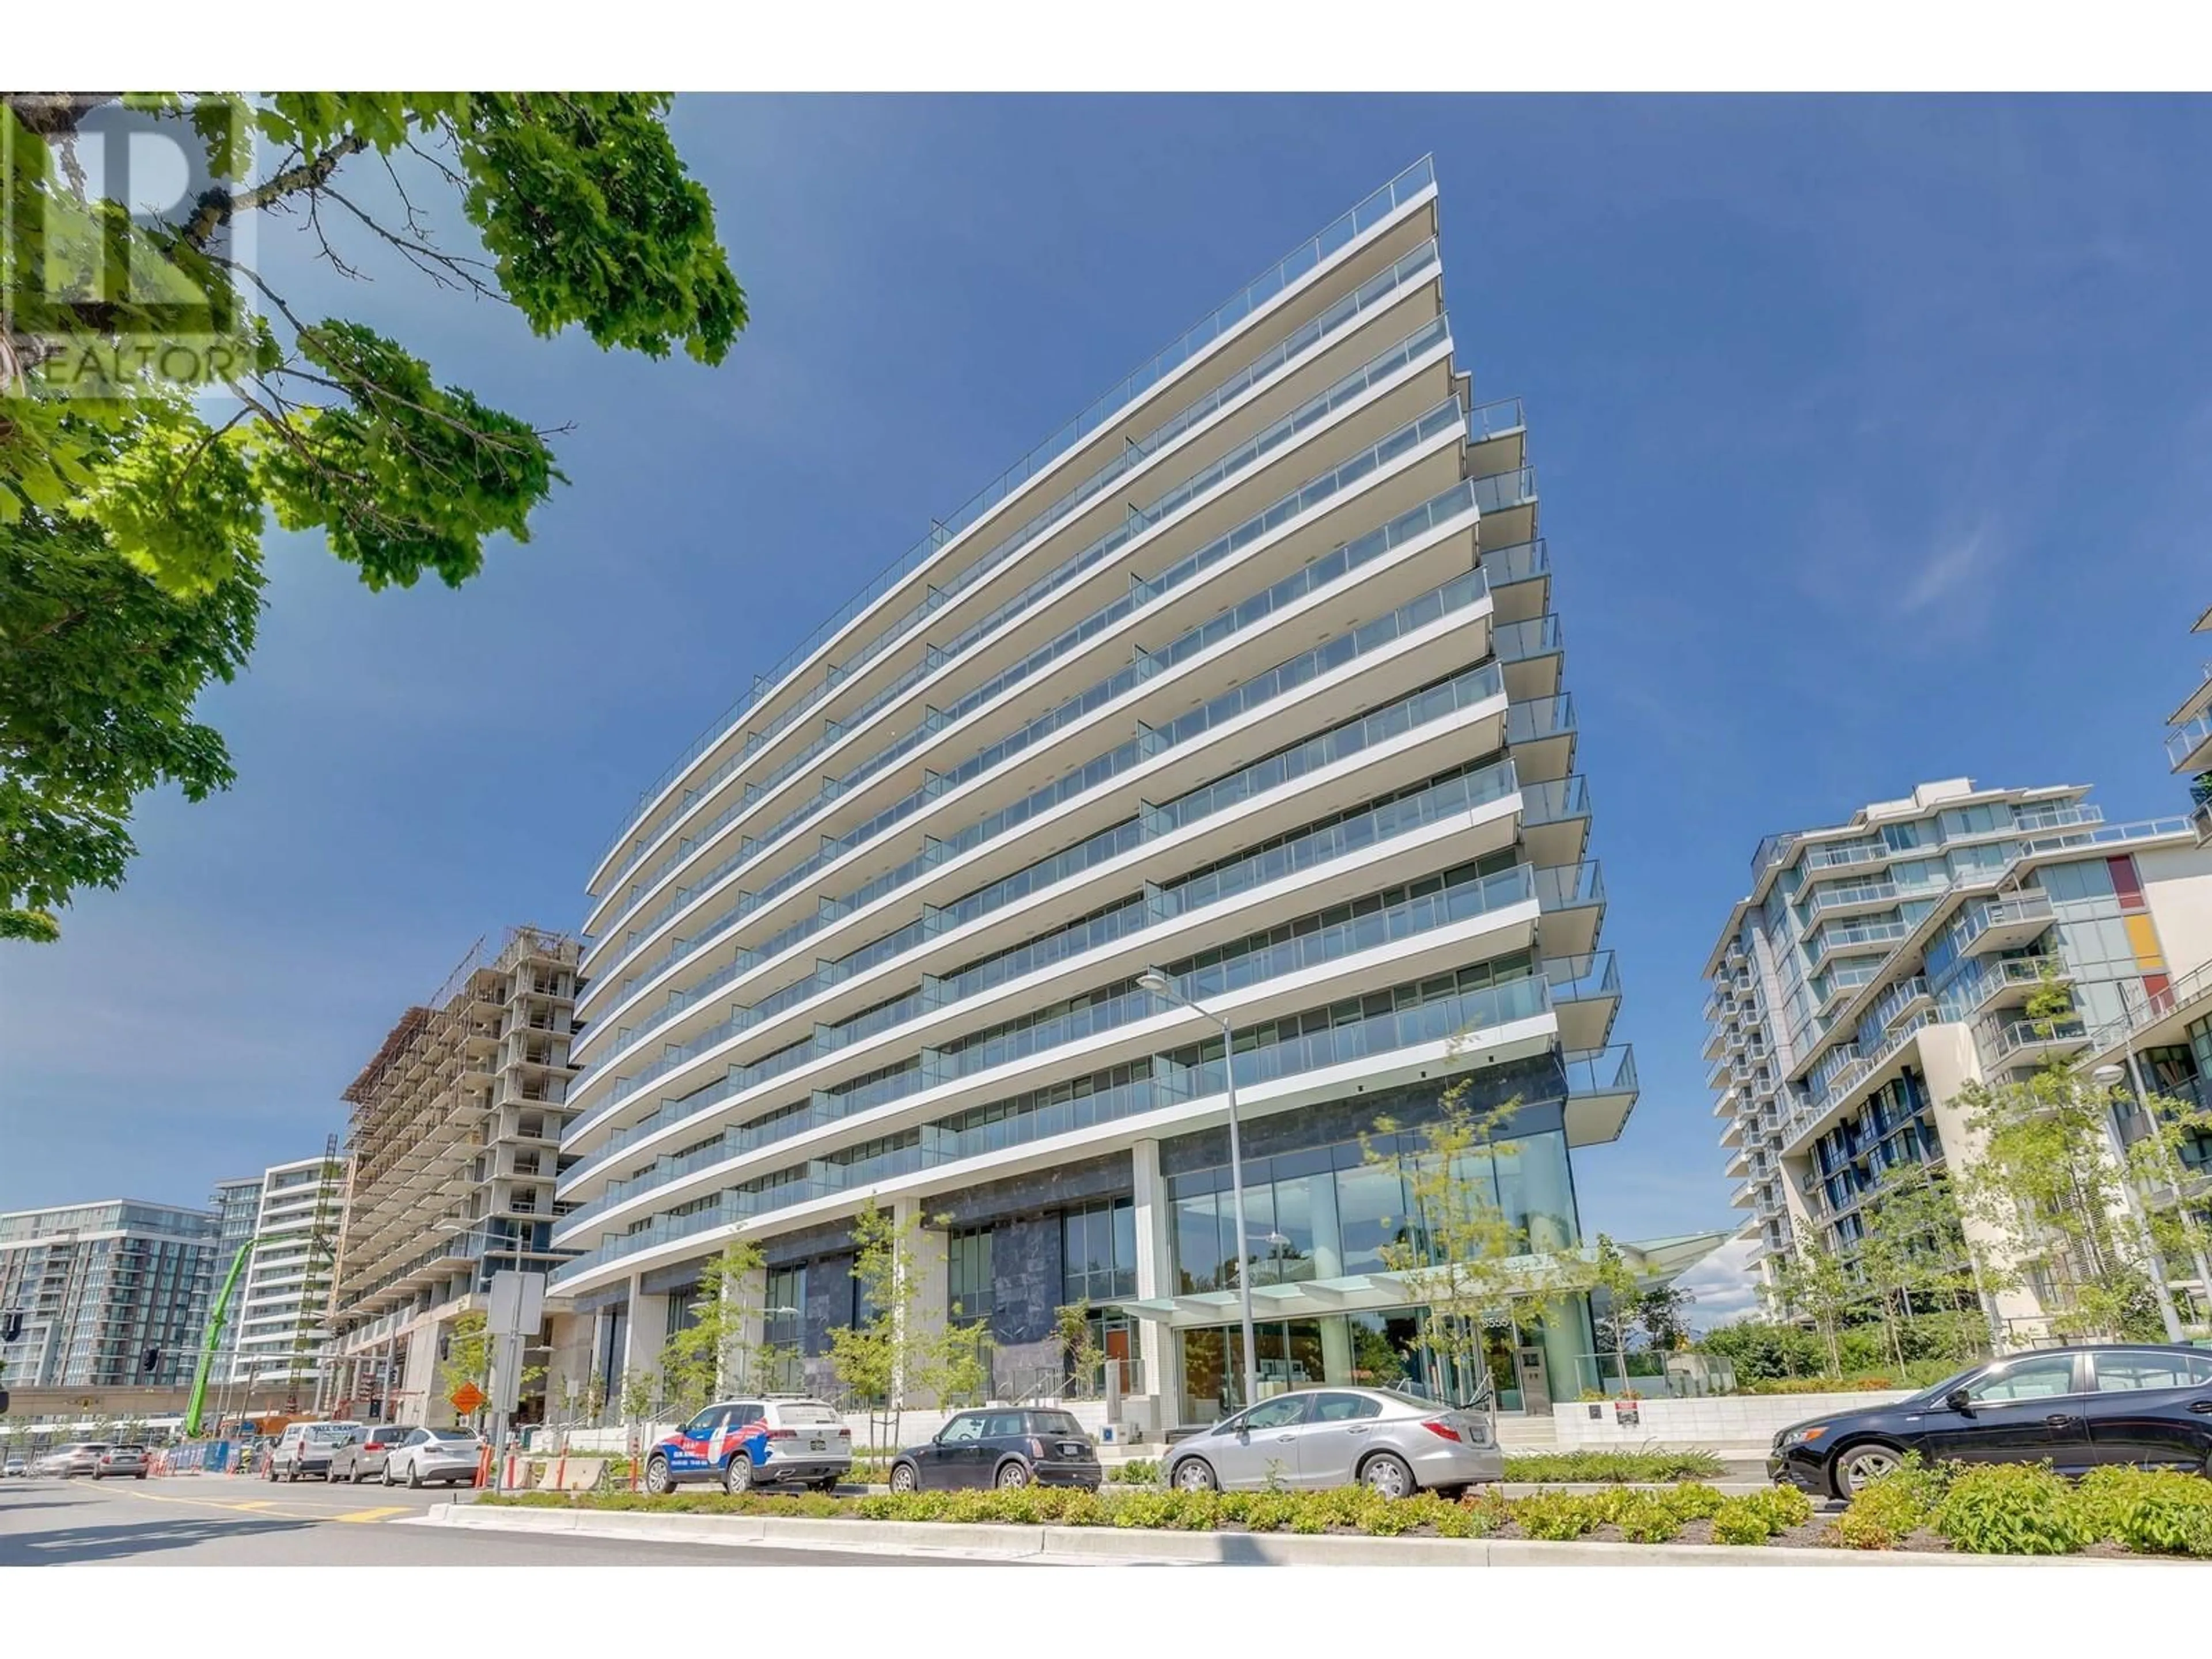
column 1047, row 455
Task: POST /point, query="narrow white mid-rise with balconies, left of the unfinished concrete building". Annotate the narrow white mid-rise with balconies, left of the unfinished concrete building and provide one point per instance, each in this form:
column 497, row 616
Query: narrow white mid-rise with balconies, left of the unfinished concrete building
column 275, row 1333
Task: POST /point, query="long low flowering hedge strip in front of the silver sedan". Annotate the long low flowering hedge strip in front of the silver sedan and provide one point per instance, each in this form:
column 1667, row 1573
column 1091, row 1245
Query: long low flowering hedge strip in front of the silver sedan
column 1691, row 1512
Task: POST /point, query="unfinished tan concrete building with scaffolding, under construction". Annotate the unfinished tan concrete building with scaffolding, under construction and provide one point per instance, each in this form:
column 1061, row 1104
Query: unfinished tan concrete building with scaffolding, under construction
column 450, row 1169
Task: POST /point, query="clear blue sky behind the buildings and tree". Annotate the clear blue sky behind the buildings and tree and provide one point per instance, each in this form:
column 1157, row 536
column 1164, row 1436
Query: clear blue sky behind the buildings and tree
column 1870, row 444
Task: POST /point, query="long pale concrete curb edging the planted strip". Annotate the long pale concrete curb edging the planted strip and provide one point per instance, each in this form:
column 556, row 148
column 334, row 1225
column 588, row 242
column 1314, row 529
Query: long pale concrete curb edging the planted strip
column 1100, row 1545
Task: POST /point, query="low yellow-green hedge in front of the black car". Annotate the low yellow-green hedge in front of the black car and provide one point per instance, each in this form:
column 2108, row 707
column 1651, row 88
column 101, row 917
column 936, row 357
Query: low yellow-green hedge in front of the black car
column 2030, row 1510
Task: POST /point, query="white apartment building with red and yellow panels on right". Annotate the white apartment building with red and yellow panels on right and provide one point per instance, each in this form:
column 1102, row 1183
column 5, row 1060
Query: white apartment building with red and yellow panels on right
column 1881, row 963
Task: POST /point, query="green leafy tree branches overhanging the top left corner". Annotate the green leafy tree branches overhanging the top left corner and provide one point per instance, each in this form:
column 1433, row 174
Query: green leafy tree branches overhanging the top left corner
column 132, row 521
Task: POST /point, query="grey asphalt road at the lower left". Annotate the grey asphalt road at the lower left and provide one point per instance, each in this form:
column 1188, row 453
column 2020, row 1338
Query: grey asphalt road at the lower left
column 216, row 1521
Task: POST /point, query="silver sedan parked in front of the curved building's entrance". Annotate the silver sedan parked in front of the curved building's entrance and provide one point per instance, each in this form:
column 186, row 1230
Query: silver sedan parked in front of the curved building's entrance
column 1395, row 1443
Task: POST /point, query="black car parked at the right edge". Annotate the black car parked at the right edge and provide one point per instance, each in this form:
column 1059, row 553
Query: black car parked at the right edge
column 2078, row 1408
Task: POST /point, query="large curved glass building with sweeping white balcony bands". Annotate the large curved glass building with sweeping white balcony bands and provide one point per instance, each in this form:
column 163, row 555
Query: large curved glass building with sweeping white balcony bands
column 1249, row 676
